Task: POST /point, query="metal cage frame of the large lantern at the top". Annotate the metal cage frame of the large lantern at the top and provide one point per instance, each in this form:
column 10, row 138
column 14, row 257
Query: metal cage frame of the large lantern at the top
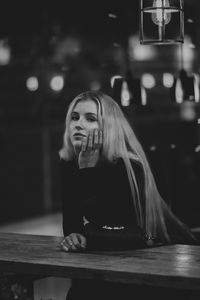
column 162, row 39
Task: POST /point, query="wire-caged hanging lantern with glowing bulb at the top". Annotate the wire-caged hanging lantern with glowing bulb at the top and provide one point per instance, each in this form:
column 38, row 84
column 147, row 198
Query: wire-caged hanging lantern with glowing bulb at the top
column 161, row 21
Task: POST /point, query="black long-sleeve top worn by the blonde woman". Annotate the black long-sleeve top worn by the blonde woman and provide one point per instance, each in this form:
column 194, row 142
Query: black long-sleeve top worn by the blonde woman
column 103, row 197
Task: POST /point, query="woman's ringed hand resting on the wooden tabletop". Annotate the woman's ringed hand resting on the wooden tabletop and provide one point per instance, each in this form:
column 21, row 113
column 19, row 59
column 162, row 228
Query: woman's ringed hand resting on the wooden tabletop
column 74, row 242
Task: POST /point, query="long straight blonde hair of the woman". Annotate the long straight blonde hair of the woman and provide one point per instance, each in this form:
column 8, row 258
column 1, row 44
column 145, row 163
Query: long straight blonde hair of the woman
column 120, row 141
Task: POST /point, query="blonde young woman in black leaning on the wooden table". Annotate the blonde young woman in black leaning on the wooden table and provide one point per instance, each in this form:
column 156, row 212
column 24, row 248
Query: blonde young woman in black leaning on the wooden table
column 110, row 198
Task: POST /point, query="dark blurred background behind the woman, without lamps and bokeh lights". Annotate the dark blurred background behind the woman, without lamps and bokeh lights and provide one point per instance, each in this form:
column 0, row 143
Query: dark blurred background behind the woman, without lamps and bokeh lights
column 79, row 40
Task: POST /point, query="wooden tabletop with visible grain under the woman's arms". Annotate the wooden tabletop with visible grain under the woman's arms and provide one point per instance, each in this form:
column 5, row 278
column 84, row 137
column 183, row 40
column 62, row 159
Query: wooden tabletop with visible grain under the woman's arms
column 174, row 266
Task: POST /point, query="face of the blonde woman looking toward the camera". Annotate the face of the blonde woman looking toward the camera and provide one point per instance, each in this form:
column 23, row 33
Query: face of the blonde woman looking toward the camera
column 83, row 119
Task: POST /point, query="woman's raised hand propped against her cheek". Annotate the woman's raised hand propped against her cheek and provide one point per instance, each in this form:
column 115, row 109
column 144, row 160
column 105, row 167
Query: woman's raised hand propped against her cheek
column 89, row 154
